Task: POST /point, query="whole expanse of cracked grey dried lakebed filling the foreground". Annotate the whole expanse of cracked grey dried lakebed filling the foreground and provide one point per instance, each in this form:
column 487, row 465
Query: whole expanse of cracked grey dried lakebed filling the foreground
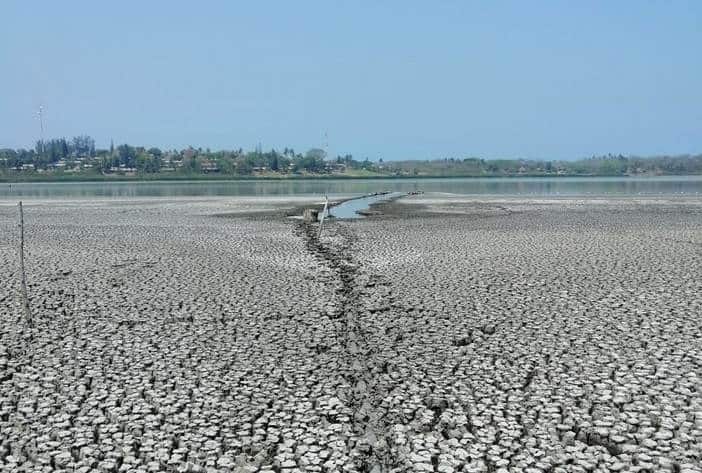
column 444, row 335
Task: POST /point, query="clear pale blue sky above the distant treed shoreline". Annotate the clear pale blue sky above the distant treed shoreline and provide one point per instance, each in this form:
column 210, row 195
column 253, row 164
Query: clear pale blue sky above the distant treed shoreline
column 397, row 80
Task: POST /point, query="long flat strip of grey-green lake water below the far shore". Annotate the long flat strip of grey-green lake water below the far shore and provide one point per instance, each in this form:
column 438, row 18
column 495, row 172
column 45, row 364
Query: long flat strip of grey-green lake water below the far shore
column 527, row 186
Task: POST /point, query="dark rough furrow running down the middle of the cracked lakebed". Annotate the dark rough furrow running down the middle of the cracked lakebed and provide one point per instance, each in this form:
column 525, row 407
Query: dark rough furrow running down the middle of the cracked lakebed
column 364, row 360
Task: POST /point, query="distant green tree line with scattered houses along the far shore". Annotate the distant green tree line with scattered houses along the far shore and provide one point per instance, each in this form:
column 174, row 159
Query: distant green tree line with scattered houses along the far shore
column 79, row 155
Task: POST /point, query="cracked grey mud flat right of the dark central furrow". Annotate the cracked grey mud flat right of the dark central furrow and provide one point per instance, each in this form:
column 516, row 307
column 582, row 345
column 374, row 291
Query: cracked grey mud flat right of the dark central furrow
column 545, row 336
